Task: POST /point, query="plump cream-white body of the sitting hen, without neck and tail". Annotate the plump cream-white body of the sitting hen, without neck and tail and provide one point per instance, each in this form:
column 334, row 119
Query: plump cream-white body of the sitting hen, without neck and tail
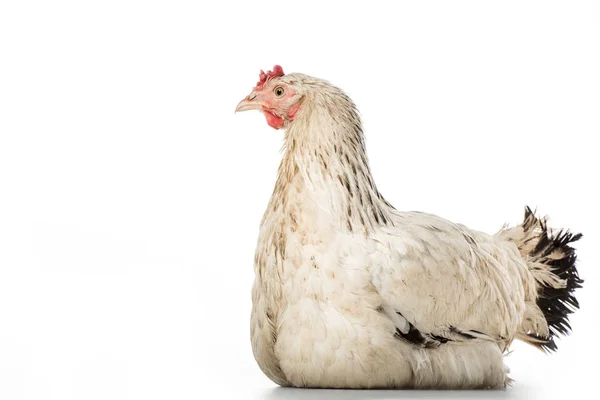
column 318, row 318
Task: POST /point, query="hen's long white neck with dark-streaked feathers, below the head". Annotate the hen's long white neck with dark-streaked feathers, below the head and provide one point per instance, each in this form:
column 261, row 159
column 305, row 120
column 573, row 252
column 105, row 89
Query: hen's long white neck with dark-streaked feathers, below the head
column 325, row 160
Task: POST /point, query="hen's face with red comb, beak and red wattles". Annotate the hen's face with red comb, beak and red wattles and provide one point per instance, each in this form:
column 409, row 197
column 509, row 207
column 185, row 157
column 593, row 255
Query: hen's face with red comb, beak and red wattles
column 277, row 98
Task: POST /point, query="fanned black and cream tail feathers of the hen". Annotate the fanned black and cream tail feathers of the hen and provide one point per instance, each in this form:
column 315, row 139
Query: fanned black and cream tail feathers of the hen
column 551, row 262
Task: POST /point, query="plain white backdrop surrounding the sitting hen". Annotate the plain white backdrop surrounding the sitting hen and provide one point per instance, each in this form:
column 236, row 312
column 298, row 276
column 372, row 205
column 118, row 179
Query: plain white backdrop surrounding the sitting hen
column 131, row 194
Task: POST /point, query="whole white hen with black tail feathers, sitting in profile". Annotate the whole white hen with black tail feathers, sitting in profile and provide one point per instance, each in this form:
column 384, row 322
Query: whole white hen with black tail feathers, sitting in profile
column 351, row 293
